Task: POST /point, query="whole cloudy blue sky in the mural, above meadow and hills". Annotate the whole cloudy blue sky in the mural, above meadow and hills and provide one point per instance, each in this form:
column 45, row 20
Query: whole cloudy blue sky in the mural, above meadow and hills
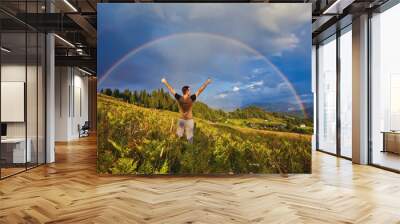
column 246, row 49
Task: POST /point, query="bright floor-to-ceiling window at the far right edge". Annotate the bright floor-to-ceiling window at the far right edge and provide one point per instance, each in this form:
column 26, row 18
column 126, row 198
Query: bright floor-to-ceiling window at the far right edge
column 385, row 89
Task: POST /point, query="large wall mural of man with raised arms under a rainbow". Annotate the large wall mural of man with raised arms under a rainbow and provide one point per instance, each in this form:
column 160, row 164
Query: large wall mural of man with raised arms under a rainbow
column 204, row 88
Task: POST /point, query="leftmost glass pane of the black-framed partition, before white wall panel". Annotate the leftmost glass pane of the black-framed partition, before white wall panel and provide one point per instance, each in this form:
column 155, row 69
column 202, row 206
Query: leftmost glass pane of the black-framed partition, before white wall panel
column 14, row 153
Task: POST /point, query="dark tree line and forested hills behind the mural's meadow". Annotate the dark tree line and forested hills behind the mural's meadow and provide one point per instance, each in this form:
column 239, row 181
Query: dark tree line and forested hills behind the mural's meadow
column 251, row 116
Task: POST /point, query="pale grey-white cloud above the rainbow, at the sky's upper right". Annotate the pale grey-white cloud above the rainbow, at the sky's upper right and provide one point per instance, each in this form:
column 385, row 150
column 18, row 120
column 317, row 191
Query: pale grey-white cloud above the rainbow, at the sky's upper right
column 269, row 28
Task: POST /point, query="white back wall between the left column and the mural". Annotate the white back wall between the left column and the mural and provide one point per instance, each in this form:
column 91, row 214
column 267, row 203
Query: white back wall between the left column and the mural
column 71, row 102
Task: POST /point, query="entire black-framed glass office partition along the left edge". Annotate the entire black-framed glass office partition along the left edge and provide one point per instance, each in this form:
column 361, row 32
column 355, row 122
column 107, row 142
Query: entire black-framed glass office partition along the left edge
column 22, row 77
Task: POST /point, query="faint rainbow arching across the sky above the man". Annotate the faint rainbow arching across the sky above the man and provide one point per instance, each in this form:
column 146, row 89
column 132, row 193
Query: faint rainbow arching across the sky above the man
column 211, row 36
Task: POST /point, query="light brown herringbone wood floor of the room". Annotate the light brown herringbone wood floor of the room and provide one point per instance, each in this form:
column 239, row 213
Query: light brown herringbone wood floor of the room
column 70, row 191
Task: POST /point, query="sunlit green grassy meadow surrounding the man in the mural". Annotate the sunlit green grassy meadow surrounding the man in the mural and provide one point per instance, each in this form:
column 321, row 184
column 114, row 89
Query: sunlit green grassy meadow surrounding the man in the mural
column 137, row 140
